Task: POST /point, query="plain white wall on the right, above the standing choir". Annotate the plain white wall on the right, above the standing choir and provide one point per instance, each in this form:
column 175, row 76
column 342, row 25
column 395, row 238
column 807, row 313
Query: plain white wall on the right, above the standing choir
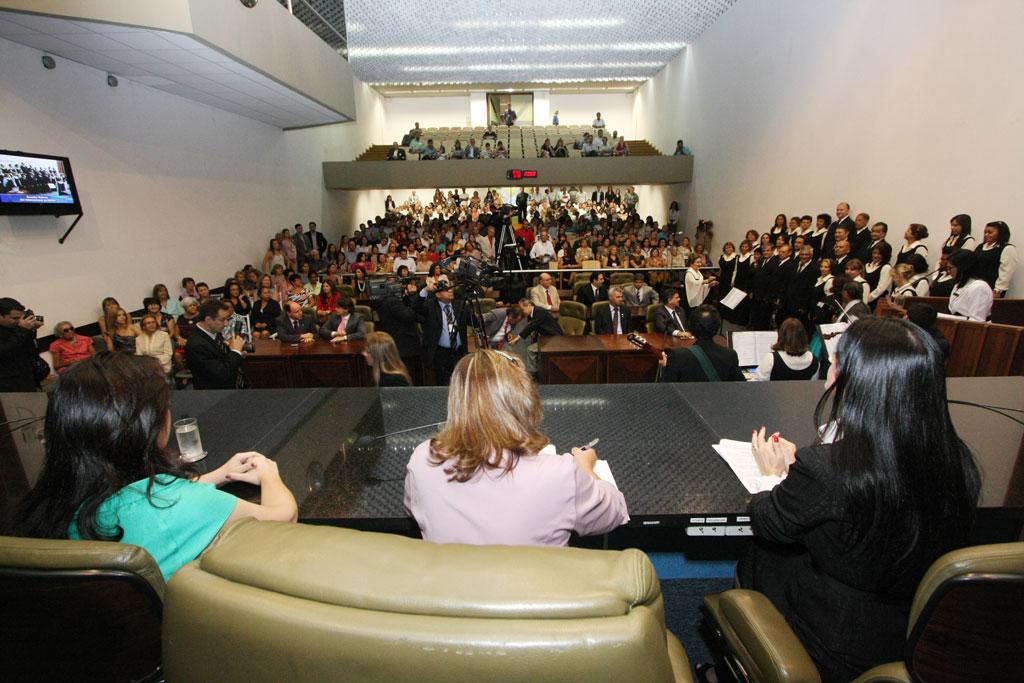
column 902, row 108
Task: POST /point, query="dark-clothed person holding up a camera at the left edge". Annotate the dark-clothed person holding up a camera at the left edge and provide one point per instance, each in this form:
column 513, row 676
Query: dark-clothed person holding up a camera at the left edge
column 21, row 367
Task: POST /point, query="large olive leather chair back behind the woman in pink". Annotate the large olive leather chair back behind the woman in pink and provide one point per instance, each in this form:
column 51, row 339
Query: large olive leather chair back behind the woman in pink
column 293, row 603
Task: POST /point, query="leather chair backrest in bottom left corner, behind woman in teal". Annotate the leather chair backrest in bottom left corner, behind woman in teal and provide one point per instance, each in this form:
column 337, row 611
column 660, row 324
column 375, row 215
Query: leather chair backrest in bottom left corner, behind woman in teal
column 79, row 611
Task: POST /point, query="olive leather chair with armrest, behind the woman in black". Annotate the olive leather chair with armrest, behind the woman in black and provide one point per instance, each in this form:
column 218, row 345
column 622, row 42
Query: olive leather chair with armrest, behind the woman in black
column 967, row 624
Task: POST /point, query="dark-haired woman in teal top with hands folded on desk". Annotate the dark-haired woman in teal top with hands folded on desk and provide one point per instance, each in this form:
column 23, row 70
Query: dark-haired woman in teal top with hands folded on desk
column 108, row 476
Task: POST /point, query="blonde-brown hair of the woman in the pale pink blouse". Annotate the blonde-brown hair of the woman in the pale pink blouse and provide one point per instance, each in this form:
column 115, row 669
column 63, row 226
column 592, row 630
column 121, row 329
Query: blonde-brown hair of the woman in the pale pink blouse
column 494, row 413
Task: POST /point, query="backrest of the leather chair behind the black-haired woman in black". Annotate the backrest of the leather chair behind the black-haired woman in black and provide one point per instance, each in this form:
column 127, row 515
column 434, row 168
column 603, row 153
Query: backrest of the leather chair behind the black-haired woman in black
column 967, row 622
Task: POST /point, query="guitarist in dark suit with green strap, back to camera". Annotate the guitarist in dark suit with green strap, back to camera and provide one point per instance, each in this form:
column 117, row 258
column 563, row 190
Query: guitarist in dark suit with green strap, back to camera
column 706, row 361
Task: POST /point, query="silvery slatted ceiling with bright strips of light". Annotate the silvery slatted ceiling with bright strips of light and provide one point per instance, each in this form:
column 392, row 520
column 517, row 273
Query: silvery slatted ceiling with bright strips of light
column 400, row 41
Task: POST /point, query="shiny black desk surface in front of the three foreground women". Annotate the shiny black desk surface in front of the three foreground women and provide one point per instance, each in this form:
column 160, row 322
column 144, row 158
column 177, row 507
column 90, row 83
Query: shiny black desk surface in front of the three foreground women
column 658, row 440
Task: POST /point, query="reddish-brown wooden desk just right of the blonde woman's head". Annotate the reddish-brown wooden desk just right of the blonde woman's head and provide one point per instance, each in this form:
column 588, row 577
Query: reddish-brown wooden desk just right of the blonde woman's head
column 604, row 359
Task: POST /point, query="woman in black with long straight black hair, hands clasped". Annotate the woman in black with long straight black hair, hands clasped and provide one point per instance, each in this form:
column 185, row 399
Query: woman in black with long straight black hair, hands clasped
column 843, row 542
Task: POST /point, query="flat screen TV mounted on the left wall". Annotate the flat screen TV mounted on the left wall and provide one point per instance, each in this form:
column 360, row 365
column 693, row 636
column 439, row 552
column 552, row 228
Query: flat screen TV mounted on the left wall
column 37, row 185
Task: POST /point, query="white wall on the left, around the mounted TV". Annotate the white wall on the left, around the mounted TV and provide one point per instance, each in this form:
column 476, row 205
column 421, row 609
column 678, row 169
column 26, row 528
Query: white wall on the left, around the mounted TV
column 169, row 187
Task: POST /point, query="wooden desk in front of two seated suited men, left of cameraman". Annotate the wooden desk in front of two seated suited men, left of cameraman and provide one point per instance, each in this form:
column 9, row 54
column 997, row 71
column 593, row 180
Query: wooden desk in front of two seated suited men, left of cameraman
column 319, row 364
